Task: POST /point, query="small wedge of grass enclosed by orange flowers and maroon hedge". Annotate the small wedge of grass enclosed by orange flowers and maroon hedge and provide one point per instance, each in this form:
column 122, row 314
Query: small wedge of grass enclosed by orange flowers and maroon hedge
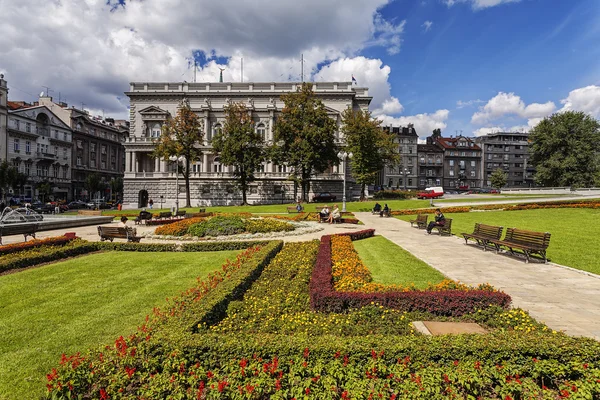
column 391, row 264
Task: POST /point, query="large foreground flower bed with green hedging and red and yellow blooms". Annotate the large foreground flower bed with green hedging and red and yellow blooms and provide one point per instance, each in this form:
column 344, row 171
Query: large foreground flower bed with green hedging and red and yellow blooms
column 241, row 357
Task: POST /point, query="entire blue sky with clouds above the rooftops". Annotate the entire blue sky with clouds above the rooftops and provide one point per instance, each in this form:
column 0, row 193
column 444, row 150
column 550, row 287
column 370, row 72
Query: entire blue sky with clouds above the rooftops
column 468, row 67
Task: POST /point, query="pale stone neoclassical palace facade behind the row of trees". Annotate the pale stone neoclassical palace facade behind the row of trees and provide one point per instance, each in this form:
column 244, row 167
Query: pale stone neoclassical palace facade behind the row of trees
column 151, row 103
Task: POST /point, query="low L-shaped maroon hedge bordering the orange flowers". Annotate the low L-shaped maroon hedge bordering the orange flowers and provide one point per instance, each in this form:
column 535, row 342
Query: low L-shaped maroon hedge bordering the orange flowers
column 444, row 302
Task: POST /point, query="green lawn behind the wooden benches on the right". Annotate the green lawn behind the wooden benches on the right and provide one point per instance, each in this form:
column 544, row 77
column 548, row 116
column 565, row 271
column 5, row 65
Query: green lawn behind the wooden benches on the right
column 574, row 240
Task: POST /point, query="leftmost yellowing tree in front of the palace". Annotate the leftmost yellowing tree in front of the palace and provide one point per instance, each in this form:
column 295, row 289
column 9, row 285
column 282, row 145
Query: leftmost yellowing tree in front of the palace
column 181, row 136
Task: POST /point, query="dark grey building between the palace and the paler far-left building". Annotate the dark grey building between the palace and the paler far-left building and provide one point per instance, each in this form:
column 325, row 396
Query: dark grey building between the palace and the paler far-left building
column 97, row 147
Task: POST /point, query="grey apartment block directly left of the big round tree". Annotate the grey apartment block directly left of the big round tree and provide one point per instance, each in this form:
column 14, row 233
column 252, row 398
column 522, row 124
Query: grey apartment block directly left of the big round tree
column 508, row 151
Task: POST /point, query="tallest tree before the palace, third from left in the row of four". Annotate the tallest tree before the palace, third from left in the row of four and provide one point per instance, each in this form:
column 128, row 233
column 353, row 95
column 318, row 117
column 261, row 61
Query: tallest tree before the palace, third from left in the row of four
column 304, row 136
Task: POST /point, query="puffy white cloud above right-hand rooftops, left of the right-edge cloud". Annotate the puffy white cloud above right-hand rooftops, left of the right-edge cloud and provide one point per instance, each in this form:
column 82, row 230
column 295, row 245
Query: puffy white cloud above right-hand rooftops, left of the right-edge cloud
column 505, row 104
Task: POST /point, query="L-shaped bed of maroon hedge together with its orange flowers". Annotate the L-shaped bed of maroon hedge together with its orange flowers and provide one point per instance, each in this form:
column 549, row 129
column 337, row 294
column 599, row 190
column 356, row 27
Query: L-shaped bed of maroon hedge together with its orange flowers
column 350, row 274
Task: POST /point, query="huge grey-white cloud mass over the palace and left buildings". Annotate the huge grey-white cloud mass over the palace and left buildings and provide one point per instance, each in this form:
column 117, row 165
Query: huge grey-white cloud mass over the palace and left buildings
column 90, row 53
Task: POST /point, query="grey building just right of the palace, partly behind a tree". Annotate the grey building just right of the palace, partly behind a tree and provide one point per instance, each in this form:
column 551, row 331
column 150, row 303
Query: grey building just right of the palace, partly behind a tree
column 404, row 175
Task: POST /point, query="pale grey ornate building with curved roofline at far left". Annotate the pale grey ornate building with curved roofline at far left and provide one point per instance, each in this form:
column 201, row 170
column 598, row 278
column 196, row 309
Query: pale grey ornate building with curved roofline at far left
column 39, row 146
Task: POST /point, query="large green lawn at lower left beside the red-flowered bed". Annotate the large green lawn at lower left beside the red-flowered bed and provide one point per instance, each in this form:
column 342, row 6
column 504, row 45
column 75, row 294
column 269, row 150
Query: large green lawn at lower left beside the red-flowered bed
column 82, row 303
